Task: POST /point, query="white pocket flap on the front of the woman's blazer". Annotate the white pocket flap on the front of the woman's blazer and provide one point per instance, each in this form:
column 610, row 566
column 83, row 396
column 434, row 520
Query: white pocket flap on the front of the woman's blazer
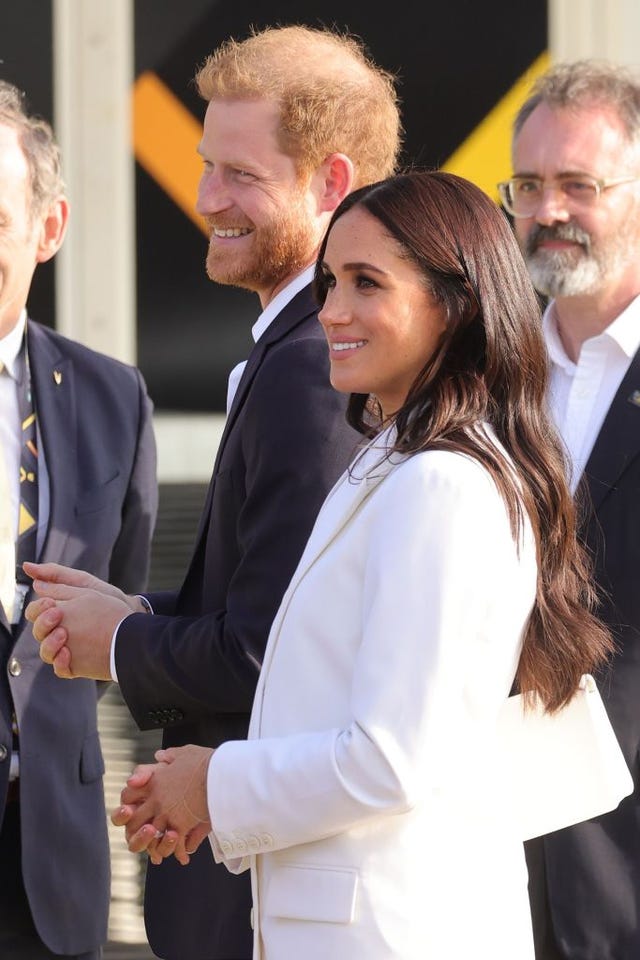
column 322, row 894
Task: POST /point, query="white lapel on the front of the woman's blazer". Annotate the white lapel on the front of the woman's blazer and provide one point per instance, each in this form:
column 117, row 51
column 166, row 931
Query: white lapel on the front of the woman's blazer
column 348, row 495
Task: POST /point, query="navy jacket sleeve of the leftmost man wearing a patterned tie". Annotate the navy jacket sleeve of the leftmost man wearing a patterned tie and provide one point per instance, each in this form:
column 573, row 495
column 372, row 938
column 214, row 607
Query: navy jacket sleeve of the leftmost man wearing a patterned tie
column 129, row 562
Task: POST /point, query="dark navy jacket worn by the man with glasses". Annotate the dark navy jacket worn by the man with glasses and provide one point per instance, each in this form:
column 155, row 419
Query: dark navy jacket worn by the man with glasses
column 593, row 869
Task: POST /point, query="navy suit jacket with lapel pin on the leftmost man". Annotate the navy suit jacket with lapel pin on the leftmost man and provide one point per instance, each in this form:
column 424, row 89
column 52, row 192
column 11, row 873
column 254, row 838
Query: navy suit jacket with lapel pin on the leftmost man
column 94, row 419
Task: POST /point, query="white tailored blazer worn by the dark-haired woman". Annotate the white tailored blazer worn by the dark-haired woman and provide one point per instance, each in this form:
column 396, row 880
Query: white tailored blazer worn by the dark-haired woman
column 368, row 799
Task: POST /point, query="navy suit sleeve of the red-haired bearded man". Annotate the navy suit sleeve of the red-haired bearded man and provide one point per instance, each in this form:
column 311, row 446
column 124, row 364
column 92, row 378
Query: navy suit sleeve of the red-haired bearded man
column 295, row 443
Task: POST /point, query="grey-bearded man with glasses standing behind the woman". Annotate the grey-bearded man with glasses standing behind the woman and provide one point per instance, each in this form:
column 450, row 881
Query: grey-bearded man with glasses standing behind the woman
column 575, row 202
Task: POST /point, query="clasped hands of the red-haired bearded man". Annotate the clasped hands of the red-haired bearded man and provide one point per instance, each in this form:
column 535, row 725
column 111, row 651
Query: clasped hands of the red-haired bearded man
column 74, row 619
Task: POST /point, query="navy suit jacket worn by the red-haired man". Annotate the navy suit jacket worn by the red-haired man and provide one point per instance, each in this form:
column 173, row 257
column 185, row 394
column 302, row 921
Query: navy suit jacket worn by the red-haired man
column 193, row 668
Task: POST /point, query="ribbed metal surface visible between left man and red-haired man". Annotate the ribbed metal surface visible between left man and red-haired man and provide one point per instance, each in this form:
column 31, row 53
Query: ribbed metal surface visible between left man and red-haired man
column 123, row 744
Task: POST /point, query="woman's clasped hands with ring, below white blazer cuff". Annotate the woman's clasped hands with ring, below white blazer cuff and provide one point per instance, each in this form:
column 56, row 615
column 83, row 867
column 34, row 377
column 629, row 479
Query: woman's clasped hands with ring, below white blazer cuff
column 164, row 805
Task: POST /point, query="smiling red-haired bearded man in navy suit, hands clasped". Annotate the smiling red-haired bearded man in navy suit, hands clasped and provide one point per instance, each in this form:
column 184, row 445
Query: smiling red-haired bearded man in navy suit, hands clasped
column 296, row 118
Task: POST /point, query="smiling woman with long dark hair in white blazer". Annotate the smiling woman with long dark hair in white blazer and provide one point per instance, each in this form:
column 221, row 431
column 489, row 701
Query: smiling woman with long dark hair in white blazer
column 370, row 799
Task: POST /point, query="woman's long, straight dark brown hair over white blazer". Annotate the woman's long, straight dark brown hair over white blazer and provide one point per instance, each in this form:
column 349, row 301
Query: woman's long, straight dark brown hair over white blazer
column 491, row 367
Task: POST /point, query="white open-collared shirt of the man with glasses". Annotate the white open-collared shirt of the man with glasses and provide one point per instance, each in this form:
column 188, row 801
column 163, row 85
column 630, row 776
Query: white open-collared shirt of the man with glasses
column 581, row 393
